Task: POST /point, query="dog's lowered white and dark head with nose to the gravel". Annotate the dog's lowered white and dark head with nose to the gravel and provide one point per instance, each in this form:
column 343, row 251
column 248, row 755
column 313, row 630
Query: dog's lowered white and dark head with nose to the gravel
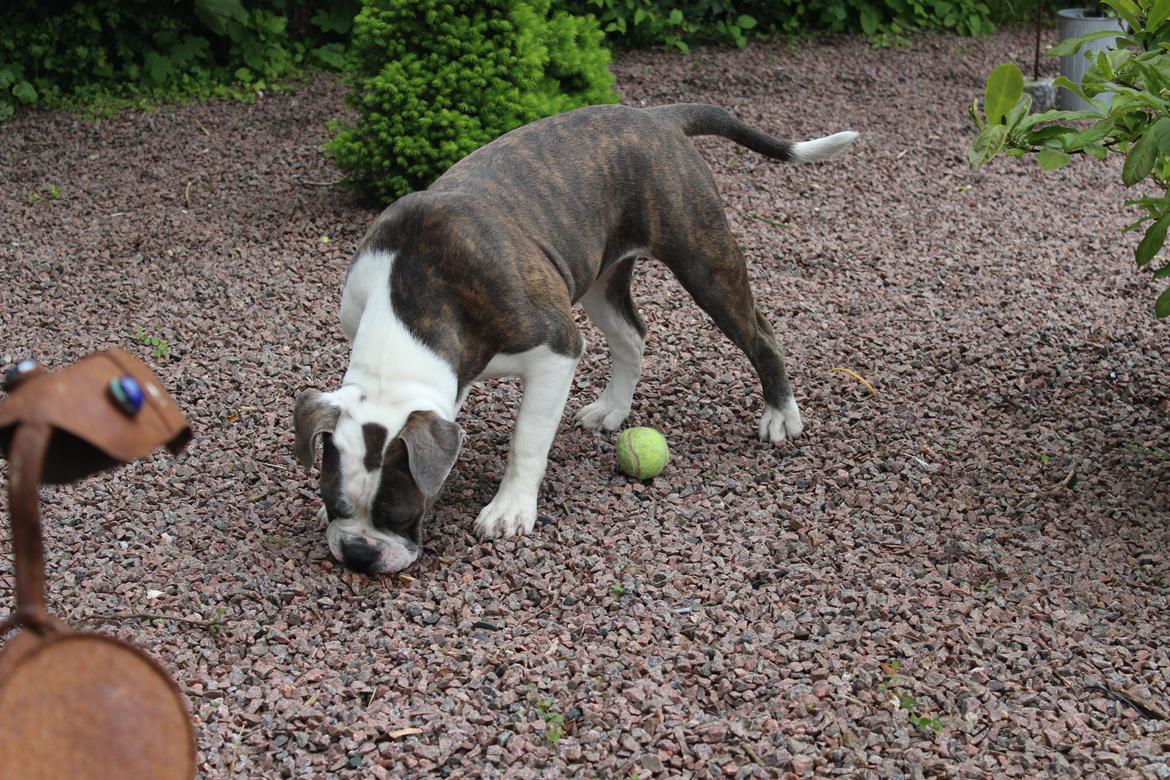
column 381, row 471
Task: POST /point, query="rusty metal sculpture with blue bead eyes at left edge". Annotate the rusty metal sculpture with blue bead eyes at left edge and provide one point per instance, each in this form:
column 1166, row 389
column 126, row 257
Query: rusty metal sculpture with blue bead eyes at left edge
column 78, row 705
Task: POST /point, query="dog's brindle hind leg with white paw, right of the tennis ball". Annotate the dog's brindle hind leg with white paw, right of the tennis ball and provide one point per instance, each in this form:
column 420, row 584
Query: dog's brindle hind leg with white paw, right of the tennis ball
column 713, row 272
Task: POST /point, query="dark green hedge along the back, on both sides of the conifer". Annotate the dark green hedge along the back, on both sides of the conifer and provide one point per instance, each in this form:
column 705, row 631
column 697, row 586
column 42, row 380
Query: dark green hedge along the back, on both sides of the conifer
column 93, row 52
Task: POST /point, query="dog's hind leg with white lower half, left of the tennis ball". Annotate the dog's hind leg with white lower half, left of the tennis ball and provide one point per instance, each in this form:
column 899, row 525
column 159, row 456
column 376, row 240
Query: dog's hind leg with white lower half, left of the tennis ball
column 611, row 308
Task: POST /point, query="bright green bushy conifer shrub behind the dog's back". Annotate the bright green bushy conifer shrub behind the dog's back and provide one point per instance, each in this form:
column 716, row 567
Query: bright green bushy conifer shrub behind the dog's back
column 435, row 80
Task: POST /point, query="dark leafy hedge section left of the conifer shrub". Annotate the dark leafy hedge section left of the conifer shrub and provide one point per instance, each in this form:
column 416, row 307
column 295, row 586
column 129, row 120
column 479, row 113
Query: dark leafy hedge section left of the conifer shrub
column 56, row 52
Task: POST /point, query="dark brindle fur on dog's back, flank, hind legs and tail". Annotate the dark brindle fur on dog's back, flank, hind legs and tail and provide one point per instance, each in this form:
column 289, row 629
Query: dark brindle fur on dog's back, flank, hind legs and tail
column 493, row 256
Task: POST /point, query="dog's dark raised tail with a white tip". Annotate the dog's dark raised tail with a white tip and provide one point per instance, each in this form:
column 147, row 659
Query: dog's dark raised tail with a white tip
column 703, row 120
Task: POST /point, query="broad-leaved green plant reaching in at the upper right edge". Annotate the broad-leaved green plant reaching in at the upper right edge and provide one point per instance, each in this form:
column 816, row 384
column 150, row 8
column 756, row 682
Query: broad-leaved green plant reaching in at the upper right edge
column 1135, row 125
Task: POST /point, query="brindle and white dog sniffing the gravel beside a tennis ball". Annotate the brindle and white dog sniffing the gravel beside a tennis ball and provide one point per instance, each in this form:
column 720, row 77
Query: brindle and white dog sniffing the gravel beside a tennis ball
column 477, row 278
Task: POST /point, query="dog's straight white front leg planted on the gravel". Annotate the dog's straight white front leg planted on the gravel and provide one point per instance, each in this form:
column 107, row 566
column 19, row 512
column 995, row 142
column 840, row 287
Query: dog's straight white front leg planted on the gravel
column 547, row 377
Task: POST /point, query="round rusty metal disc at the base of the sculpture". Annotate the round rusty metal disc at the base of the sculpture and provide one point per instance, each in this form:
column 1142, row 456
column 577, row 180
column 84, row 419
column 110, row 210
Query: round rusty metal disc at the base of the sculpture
column 87, row 706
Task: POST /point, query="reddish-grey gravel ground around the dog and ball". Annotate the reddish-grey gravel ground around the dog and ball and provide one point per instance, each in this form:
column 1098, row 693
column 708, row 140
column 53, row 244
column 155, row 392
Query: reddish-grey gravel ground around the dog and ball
column 944, row 578
